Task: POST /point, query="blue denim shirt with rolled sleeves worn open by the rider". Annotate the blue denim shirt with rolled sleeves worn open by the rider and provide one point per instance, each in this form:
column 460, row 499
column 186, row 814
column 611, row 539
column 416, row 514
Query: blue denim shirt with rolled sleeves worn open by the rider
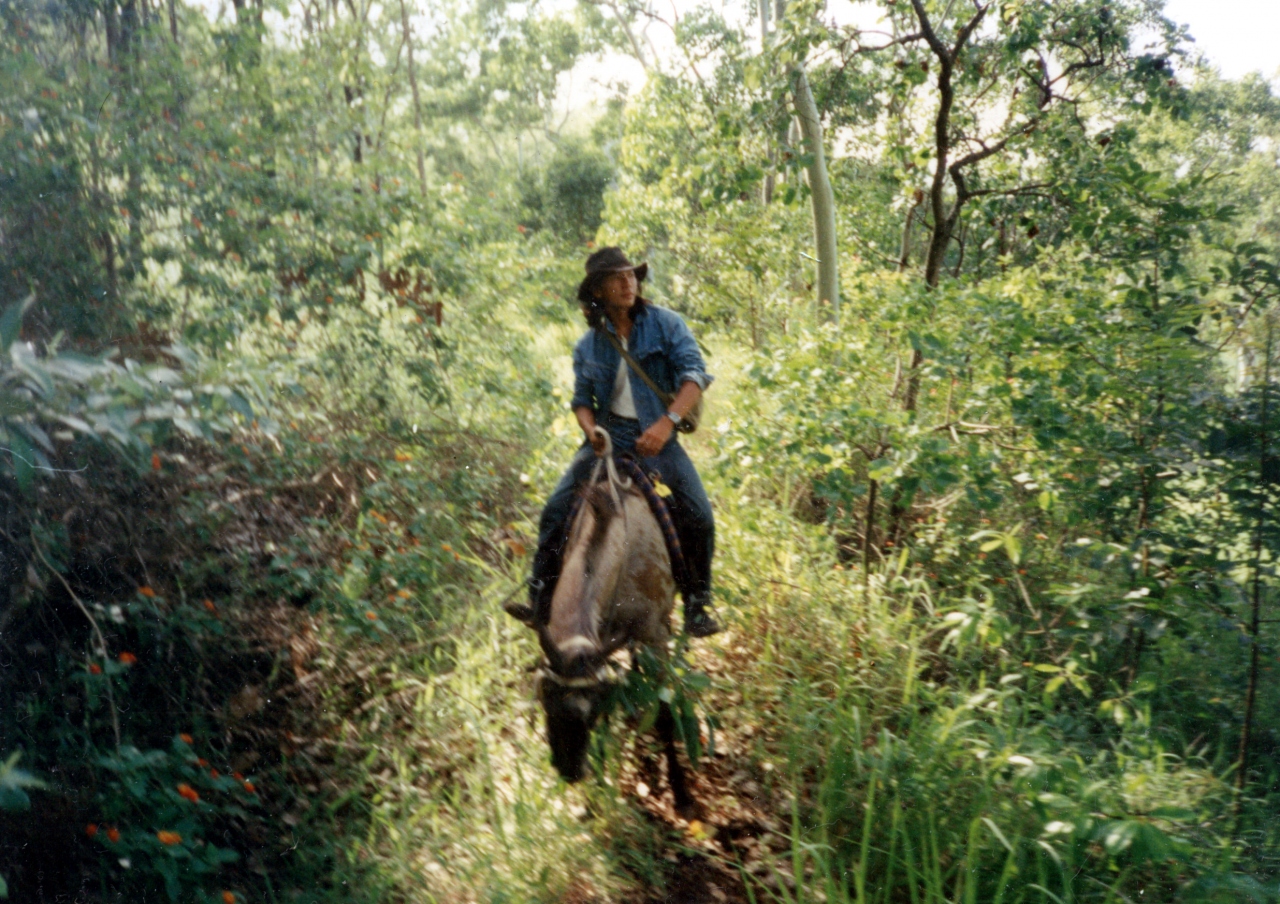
column 660, row 343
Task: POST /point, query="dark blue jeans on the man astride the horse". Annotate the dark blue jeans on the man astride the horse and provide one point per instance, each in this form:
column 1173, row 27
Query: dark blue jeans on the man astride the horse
column 691, row 510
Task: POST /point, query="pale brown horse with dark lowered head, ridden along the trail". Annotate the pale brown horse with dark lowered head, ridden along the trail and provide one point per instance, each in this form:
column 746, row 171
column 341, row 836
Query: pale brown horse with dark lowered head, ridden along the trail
column 616, row 590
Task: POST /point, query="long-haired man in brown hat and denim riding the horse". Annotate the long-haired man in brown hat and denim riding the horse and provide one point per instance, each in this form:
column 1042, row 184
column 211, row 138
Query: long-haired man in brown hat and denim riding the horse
column 609, row 392
